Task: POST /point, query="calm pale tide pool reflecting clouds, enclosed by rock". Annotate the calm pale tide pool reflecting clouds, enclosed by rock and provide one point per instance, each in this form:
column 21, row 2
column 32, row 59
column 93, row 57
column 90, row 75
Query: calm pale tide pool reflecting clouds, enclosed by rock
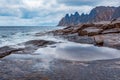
column 79, row 52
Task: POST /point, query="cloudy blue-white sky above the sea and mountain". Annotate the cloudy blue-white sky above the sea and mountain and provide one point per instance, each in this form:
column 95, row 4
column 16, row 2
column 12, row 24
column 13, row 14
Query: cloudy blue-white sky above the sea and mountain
column 44, row 12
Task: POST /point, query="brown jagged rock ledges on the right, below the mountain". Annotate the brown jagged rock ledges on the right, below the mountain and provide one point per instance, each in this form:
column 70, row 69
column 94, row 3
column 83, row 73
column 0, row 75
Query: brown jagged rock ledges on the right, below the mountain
column 100, row 34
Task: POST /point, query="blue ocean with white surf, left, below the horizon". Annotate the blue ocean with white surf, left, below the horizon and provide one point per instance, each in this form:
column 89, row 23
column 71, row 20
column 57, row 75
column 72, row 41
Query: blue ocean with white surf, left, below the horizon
column 11, row 35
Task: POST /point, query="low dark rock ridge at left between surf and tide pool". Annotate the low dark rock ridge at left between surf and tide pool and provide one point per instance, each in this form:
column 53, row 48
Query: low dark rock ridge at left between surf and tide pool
column 30, row 47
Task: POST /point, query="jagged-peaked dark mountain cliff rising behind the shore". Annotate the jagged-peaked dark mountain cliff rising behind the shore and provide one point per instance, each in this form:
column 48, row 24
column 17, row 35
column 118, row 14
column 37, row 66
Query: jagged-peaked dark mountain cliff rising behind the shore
column 97, row 14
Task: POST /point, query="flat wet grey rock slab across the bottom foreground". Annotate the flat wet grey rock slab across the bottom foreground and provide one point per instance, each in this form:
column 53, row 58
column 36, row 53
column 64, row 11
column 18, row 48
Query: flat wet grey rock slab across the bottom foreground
column 60, row 70
